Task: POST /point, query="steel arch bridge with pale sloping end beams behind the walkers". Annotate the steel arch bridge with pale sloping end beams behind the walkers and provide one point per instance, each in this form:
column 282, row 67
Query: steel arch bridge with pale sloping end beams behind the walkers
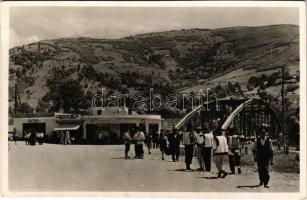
column 242, row 116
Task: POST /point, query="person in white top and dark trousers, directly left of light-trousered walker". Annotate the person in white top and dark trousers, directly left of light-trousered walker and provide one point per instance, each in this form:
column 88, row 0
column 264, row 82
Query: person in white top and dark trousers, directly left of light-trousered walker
column 208, row 144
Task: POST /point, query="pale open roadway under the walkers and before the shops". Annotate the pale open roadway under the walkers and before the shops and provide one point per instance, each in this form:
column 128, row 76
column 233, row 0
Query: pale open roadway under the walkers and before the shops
column 51, row 167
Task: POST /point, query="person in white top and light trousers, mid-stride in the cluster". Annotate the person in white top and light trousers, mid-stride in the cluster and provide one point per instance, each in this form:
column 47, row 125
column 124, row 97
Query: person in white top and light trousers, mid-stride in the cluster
column 220, row 150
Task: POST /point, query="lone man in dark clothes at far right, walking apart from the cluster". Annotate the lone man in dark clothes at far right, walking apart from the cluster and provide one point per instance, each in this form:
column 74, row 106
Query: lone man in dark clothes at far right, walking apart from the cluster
column 263, row 149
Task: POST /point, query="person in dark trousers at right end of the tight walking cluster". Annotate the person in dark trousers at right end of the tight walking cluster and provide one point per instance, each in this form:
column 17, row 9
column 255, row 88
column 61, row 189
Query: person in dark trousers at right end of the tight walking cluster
column 234, row 153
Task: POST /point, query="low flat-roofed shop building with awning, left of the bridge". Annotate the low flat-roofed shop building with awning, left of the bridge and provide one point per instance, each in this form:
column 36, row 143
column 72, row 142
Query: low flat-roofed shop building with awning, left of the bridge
column 103, row 127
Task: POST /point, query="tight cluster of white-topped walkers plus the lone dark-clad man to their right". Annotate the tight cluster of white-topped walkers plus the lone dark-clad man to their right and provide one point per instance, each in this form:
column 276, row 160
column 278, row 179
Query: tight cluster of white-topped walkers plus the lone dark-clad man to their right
column 216, row 143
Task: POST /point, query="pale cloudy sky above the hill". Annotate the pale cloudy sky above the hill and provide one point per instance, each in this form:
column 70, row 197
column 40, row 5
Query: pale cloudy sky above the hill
column 32, row 24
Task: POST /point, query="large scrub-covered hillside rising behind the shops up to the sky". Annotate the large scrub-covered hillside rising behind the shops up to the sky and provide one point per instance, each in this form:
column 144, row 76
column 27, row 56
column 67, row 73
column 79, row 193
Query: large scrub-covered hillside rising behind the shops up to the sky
column 166, row 61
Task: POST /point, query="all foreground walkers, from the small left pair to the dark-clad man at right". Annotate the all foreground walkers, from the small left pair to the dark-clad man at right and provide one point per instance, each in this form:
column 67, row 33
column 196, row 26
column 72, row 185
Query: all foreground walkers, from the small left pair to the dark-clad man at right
column 205, row 144
